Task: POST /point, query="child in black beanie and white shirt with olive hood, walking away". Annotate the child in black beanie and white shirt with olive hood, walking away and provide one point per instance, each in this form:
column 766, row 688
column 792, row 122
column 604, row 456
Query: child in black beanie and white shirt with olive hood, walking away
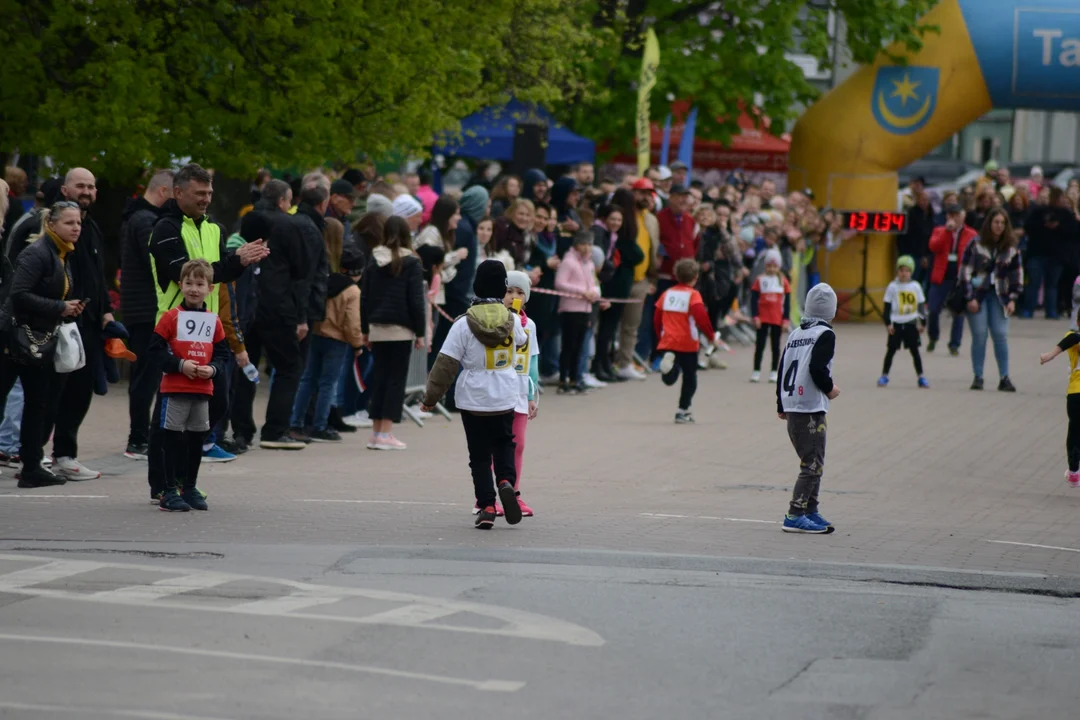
column 482, row 345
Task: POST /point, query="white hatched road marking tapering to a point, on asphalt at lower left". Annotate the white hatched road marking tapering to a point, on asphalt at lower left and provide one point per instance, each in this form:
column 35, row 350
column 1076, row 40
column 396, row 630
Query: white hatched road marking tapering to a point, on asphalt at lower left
column 417, row 612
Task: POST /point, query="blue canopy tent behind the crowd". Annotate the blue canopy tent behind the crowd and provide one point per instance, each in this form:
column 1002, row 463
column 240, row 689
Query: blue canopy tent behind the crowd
column 490, row 135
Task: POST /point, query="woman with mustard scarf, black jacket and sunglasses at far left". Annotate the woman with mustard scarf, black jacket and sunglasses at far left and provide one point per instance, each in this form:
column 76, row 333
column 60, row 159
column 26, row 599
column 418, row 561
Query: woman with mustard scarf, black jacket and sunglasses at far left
column 38, row 304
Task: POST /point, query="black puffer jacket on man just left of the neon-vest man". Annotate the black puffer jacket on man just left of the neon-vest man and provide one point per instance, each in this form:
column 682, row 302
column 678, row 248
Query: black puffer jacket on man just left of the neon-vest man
column 139, row 300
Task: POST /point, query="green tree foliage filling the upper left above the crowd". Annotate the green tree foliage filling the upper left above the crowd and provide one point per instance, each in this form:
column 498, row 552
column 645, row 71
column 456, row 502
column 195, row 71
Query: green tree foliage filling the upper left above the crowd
column 121, row 85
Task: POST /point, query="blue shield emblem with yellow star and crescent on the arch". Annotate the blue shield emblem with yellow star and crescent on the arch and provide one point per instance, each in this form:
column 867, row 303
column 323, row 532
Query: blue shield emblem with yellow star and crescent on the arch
column 904, row 99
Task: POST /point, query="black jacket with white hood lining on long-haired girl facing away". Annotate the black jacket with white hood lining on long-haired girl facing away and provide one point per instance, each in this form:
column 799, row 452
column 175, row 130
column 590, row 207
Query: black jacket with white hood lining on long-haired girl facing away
column 389, row 300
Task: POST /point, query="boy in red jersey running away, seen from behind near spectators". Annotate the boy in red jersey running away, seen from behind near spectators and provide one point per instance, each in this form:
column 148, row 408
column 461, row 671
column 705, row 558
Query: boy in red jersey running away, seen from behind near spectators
column 680, row 320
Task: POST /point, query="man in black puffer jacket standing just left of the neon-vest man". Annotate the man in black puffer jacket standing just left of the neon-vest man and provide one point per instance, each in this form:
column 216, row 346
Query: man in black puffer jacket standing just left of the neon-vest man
column 139, row 305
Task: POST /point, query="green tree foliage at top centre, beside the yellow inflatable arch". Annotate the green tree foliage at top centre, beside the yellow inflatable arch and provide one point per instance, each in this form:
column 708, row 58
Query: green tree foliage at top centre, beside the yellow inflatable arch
column 722, row 53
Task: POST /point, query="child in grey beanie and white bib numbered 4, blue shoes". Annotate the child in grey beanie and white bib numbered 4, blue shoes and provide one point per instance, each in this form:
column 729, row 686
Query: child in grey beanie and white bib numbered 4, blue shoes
column 803, row 401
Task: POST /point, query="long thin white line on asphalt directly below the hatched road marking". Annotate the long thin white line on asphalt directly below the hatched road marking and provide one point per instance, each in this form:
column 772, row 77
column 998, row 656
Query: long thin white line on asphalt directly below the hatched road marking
column 490, row 686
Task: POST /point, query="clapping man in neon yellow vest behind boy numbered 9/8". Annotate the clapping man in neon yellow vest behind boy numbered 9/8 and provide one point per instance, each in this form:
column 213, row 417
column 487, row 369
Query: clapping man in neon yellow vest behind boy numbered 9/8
column 185, row 233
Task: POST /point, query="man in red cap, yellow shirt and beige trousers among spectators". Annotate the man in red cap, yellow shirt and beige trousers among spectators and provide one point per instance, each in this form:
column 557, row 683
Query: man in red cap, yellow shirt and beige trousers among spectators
column 645, row 280
